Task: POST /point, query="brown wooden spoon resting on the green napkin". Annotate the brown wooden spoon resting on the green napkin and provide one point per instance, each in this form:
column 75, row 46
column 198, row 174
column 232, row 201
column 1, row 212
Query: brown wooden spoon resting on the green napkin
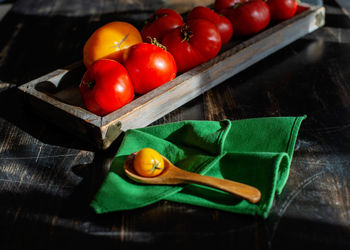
column 173, row 175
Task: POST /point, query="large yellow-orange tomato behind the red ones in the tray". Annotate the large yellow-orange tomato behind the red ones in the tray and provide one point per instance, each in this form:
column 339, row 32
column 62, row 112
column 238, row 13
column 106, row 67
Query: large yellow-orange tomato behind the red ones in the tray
column 109, row 41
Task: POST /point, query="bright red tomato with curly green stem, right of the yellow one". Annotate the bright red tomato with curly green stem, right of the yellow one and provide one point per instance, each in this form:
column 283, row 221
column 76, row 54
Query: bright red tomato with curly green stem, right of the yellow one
column 149, row 66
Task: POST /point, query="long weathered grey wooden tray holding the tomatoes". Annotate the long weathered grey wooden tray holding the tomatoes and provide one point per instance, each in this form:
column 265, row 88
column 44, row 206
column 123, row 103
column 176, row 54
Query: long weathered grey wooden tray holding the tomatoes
column 56, row 97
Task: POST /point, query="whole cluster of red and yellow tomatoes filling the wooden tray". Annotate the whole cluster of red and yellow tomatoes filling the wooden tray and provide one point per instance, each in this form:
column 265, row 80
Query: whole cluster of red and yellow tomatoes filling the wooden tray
column 122, row 61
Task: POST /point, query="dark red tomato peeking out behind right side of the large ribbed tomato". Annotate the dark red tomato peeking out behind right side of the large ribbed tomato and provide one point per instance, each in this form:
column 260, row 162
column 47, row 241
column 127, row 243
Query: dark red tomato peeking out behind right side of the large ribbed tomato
column 222, row 23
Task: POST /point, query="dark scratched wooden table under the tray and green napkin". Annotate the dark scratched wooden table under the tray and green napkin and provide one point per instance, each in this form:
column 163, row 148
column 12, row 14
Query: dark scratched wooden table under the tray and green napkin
column 48, row 176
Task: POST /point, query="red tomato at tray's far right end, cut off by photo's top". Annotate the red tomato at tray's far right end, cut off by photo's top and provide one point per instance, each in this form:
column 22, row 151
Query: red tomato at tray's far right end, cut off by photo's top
column 282, row 9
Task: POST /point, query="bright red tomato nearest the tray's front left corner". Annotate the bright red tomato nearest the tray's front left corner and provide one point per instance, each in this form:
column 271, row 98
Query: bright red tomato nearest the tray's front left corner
column 105, row 87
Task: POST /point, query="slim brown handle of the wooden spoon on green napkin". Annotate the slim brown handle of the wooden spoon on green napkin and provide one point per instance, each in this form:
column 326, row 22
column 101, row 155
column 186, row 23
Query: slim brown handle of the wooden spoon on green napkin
column 241, row 190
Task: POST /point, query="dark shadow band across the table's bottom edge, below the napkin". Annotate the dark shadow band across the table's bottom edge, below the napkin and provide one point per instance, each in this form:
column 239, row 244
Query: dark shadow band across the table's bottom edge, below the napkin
column 180, row 228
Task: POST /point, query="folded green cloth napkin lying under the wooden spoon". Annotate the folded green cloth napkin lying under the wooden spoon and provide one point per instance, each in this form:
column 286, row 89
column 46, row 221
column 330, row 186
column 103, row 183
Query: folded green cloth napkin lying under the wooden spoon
column 256, row 151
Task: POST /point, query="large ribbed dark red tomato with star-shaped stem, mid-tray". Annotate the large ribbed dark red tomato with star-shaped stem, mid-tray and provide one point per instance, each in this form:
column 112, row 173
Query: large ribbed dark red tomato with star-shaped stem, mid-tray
column 195, row 42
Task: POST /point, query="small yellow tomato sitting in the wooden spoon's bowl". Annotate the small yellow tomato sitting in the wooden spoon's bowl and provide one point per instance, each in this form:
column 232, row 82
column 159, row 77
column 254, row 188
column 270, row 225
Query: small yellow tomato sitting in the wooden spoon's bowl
column 148, row 162
